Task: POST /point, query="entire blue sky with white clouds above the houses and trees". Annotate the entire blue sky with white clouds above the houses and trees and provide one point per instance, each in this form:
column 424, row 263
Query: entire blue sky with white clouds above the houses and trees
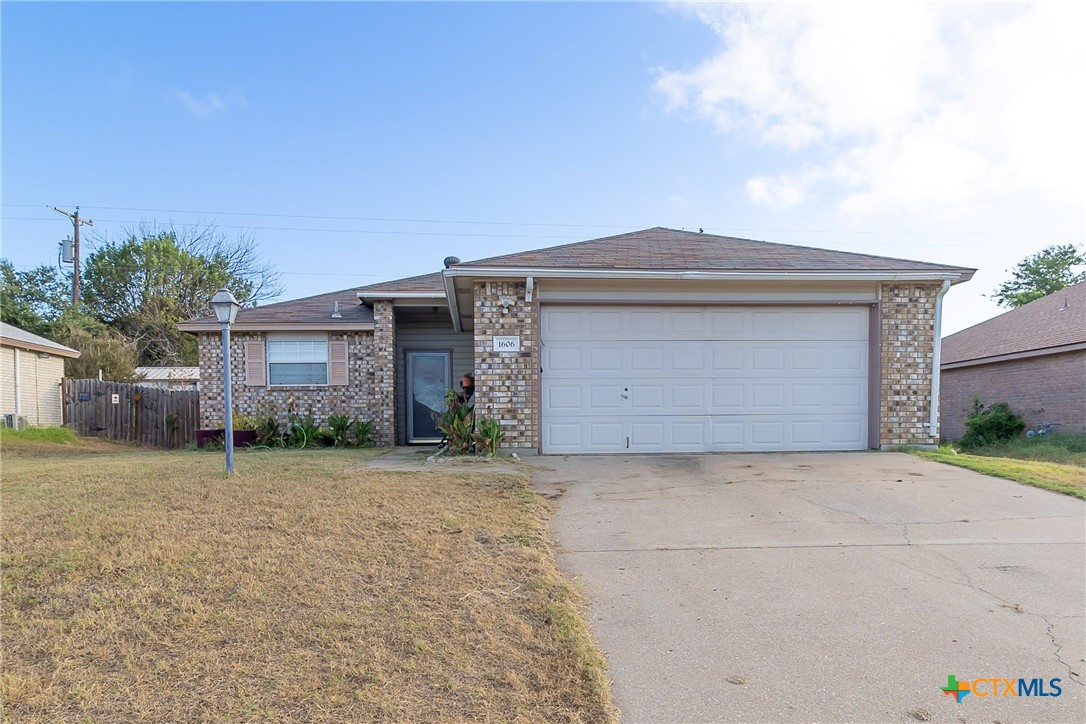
column 476, row 130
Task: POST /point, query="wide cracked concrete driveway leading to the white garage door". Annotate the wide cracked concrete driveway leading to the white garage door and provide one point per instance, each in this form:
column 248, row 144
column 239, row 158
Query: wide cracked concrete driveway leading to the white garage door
column 823, row 587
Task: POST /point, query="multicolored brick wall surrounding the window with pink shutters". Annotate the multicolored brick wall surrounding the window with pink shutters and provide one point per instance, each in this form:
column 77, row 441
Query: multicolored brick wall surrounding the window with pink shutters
column 356, row 399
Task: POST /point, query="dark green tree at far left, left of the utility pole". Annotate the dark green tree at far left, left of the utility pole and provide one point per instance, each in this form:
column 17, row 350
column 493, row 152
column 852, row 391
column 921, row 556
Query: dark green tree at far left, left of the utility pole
column 35, row 299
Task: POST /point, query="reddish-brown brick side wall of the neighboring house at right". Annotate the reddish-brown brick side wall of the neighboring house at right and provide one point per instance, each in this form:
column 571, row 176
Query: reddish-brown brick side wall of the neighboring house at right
column 1047, row 389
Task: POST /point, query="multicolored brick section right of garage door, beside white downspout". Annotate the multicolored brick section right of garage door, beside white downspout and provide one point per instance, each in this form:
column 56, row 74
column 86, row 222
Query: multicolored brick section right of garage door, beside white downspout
column 907, row 347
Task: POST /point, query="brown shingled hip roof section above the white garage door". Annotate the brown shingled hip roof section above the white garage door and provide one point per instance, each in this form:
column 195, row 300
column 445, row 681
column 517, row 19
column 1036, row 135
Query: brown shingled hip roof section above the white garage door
column 670, row 249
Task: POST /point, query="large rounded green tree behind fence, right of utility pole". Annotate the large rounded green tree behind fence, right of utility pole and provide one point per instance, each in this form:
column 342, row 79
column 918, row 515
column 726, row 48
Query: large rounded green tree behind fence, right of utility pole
column 144, row 285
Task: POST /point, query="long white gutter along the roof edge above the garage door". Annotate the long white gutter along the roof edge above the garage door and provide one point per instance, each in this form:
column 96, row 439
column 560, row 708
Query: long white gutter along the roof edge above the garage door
column 701, row 275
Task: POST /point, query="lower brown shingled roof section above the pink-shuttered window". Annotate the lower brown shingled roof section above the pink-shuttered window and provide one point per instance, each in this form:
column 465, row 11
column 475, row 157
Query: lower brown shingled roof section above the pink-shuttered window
column 309, row 313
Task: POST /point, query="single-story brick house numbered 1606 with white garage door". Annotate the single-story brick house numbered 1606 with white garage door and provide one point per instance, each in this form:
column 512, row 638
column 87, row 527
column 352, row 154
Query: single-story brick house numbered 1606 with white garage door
column 646, row 342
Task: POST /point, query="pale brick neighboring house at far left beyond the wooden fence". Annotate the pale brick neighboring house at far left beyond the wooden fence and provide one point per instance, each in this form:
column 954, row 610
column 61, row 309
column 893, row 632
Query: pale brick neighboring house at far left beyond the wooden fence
column 32, row 370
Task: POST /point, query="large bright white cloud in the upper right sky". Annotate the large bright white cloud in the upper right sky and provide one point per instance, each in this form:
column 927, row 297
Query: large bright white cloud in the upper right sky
column 896, row 108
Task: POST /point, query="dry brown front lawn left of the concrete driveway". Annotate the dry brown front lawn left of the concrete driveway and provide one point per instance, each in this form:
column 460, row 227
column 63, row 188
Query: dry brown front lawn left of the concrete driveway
column 144, row 586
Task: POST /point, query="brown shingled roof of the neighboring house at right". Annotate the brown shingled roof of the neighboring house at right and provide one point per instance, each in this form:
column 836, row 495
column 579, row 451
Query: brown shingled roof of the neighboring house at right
column 1051, row 325
